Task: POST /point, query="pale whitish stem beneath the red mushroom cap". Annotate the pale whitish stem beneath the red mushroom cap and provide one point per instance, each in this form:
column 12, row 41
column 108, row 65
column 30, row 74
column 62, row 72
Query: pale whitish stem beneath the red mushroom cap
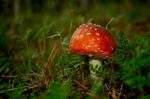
column 96, row 66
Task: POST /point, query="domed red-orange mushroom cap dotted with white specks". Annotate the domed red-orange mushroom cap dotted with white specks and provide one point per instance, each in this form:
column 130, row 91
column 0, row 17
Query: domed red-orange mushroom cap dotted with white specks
column 92, row 39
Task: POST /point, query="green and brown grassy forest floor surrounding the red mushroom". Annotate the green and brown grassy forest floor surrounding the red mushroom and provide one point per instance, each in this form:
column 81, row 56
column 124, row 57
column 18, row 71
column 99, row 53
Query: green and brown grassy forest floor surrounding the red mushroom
column 36, row 62
